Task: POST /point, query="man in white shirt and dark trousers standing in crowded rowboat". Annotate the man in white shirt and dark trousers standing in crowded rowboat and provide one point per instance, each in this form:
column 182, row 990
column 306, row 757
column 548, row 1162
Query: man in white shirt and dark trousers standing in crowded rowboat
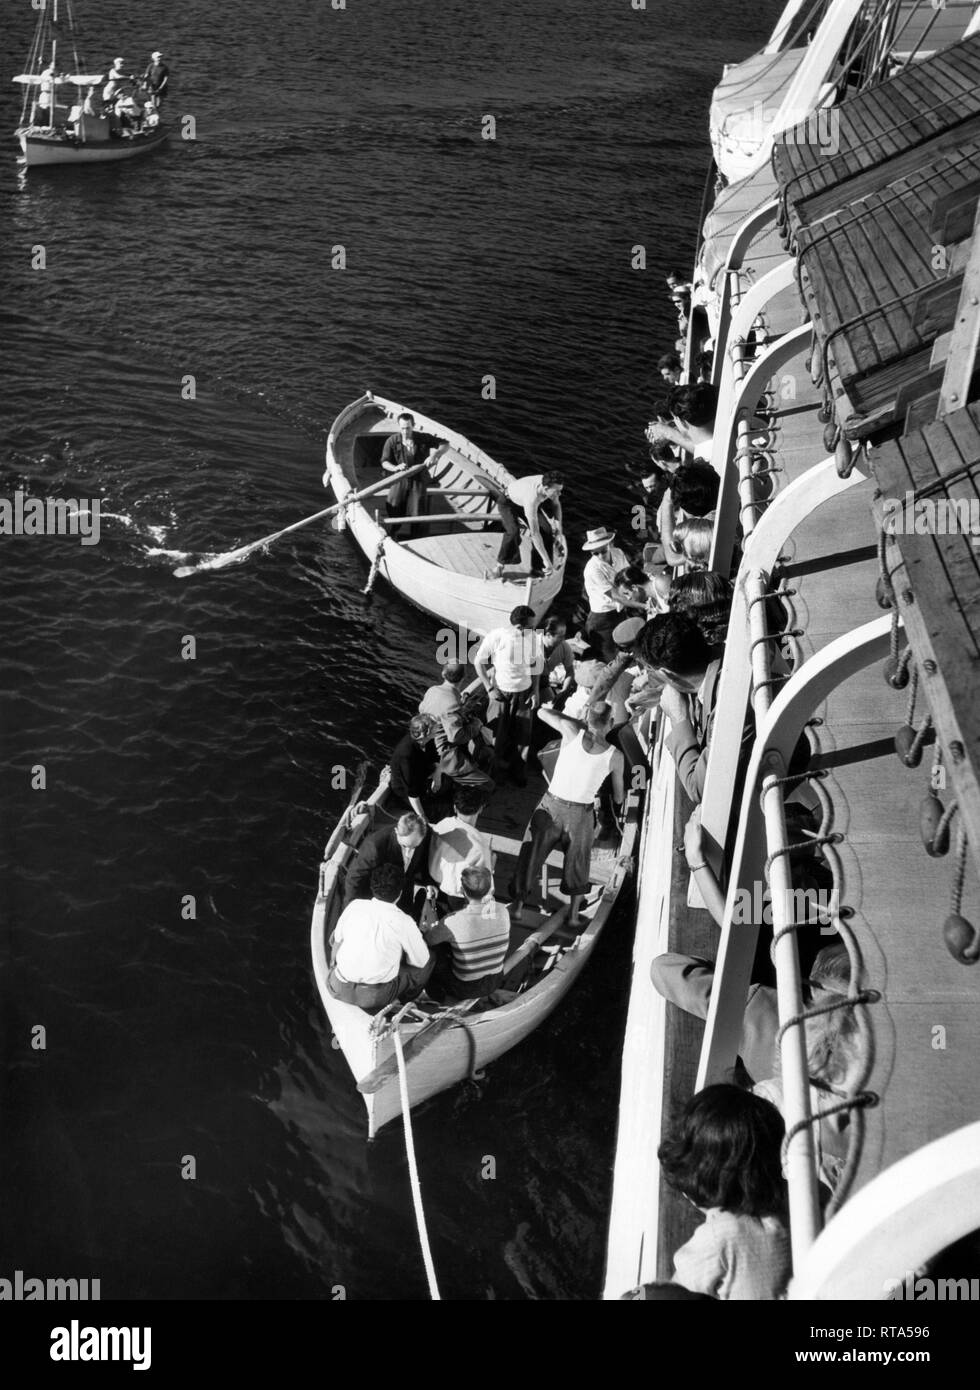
column 516, row 655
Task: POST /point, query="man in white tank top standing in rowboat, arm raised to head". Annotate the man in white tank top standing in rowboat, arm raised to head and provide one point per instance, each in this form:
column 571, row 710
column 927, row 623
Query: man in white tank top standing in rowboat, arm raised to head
column 565, row 815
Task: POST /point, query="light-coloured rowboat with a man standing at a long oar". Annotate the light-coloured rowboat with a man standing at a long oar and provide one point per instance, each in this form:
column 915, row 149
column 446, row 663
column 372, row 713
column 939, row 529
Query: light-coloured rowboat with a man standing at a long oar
column 443, row 569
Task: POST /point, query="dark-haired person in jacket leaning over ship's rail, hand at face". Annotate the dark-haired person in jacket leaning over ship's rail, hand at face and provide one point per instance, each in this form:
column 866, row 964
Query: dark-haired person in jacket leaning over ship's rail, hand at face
column 672, row 644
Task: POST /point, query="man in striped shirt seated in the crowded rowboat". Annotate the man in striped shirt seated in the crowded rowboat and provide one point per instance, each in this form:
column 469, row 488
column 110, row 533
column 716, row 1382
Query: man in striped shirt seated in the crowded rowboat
column 473, row 940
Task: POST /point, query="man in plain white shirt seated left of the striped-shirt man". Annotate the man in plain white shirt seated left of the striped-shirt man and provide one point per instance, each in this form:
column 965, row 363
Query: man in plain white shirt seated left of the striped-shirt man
column 377, row 951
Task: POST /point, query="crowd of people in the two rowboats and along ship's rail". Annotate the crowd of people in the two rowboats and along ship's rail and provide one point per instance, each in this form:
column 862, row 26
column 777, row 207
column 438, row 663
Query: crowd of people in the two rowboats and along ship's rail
column 648, row 637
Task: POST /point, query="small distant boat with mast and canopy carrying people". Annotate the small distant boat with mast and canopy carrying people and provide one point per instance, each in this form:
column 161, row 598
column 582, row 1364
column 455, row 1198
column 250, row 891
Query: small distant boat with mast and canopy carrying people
column 102, row 120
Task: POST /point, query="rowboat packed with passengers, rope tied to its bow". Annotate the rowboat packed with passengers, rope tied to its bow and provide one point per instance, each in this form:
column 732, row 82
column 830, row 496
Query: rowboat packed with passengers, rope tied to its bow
column 465, row 1040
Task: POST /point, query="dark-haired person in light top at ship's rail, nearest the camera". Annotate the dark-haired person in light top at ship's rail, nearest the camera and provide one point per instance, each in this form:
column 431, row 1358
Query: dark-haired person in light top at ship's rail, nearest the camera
column 725, row 1157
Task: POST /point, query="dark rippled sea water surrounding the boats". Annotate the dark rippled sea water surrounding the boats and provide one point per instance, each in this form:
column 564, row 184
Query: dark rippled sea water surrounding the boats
column 213, row 776
